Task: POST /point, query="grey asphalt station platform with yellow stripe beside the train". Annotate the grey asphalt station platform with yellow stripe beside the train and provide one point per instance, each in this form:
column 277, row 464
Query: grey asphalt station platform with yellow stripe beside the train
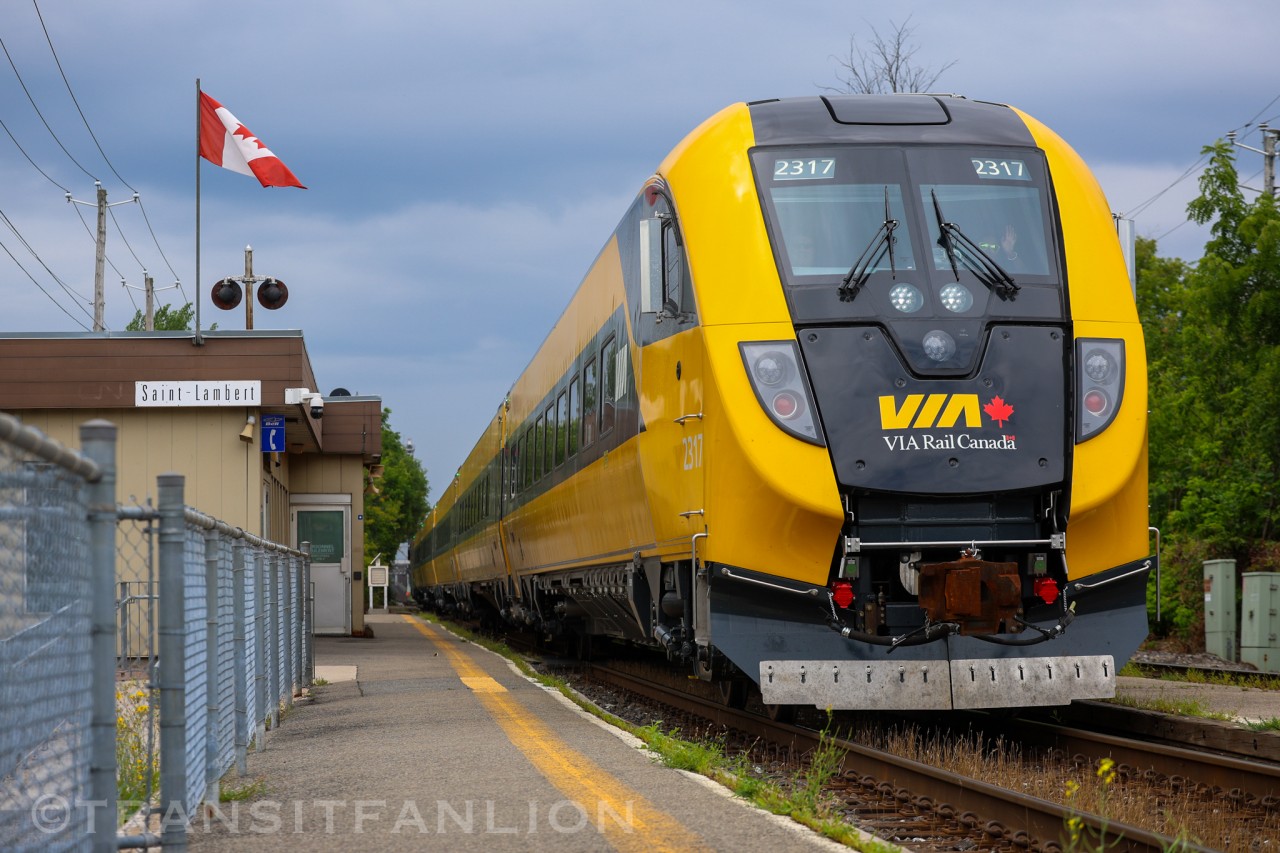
column 424, row 741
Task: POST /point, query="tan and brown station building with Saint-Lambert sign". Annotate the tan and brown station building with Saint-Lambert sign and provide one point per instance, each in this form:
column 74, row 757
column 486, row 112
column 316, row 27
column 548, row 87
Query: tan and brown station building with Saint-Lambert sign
column 239, row 414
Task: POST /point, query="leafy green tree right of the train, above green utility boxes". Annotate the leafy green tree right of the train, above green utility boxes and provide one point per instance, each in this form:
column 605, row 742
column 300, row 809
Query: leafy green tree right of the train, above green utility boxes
column 1214, row 350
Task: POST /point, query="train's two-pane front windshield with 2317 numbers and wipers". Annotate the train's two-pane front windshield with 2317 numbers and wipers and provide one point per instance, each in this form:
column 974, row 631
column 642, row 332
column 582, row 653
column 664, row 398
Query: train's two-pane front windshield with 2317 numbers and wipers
column 828, row 211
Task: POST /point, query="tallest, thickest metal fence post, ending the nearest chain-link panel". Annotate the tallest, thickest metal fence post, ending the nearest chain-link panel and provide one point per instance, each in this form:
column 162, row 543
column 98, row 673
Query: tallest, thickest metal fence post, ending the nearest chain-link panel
column 98, row 440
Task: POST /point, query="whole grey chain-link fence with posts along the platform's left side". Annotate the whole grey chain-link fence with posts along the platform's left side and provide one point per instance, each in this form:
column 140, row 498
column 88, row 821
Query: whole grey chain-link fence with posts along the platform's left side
column 190, row 633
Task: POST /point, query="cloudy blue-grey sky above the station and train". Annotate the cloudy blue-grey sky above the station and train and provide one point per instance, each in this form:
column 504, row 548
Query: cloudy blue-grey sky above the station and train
column 465, row 162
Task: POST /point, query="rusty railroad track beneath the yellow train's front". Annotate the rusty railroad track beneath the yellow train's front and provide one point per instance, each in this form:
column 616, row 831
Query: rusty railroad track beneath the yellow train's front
column 950, row 805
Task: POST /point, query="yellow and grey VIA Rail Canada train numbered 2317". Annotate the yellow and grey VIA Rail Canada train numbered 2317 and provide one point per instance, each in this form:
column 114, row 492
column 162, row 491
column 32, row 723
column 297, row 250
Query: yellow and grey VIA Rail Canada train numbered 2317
column 852, row 405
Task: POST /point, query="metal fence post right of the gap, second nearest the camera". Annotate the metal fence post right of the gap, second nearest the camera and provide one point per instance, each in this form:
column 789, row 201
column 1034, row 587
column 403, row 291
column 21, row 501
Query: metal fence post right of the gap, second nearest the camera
column 173, row 663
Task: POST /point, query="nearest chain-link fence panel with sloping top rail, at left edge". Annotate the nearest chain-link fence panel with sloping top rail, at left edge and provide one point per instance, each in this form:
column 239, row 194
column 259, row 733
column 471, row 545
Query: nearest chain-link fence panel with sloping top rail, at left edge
column 47, row 621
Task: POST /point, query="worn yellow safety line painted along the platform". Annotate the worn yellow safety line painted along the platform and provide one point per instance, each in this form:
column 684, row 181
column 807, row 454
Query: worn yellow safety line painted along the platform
column 627, row 818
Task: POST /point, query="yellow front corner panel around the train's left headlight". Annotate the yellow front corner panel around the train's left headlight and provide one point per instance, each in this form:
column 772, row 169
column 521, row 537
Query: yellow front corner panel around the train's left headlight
column 772, row 504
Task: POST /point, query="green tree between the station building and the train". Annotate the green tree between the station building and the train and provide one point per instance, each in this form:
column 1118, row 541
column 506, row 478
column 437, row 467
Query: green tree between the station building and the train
column 395, row 503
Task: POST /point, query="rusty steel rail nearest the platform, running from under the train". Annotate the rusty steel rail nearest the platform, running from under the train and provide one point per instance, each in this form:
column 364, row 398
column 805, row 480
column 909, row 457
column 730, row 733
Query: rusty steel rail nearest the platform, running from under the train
column 1040, row 820
